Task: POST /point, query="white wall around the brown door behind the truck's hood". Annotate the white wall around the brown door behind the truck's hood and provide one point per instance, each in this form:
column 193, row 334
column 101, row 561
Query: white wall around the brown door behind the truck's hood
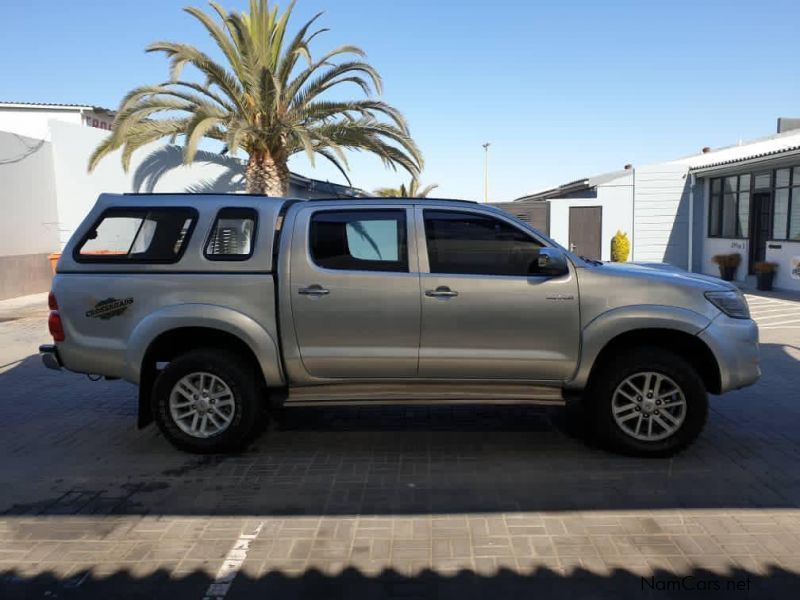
column 615, row 197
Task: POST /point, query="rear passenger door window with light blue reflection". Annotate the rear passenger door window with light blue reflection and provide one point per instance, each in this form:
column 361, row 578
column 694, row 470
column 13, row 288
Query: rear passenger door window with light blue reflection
column 359, row 240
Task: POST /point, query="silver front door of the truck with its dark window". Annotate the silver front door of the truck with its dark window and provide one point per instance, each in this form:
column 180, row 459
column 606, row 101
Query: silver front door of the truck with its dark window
column 486, row 312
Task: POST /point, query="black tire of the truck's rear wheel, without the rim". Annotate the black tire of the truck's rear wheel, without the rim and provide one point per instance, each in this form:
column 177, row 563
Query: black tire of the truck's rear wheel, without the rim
column 238, row 374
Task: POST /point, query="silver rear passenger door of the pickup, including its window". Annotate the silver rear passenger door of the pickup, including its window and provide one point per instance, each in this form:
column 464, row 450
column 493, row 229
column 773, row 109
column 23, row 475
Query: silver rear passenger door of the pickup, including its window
column 355, row 292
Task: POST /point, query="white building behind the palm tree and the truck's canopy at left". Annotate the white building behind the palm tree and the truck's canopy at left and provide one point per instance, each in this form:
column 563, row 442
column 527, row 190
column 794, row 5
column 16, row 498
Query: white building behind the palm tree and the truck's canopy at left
column 46, row 190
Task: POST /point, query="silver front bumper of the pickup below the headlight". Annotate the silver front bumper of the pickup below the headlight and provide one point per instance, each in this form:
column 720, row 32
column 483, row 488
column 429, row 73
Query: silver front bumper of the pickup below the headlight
column 734, row 343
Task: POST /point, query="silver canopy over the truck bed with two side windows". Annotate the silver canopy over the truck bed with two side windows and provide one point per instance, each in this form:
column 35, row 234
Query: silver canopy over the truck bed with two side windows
column 172, row 233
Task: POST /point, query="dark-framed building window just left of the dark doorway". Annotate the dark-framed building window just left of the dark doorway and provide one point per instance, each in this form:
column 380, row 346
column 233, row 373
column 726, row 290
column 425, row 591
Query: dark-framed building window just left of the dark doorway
column 729, row 208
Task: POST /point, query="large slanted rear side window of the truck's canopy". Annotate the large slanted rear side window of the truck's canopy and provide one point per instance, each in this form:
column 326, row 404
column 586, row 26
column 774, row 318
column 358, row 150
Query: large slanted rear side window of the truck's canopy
column 138, row 235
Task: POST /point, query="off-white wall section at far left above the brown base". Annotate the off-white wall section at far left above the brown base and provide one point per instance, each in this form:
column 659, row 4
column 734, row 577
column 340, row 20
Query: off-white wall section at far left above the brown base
column 28, row 217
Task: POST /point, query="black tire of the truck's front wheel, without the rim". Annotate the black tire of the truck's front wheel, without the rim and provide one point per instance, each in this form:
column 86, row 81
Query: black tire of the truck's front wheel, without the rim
column 613, row 372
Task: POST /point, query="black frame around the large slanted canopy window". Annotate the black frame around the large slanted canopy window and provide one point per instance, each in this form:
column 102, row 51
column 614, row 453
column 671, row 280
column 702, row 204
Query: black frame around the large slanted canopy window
column 126, row 259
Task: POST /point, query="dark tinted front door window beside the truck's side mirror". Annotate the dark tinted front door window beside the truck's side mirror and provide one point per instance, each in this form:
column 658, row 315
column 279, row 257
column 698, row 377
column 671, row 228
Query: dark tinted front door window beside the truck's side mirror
column 467, row 243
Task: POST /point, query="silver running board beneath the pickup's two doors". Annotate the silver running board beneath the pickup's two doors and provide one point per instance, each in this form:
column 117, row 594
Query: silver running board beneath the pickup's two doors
column 423, row 393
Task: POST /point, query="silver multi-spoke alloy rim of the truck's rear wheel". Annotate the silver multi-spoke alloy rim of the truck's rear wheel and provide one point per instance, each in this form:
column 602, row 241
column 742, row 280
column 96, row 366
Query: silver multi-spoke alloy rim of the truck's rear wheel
column 202, row 405
